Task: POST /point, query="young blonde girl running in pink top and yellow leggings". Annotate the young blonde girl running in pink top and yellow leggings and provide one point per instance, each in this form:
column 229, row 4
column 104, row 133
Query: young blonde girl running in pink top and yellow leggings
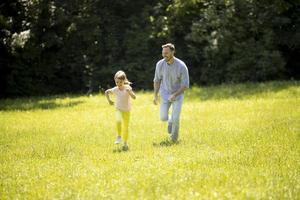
column 123, row 93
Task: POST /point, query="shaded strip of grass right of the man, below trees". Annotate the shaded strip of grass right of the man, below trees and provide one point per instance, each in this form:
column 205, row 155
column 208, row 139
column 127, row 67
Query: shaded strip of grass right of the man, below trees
column 238, row 91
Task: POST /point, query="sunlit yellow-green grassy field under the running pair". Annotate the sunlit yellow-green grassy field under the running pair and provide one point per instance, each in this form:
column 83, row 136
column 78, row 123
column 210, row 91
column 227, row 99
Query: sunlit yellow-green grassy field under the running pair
column 236, row 142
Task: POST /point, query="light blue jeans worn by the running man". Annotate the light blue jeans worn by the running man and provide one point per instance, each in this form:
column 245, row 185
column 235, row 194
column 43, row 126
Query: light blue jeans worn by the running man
column 175, row 116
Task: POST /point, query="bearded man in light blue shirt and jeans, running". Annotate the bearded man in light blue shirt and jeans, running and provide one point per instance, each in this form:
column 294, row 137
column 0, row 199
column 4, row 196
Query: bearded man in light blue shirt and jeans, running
column 171, row 79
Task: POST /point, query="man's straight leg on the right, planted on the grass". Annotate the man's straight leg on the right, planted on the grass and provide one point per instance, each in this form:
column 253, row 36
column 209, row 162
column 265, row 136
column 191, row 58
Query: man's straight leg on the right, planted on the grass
column 176, row 110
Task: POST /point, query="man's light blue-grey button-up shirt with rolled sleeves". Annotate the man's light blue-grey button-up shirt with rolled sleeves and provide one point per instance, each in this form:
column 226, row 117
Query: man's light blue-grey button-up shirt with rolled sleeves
column 172, row 77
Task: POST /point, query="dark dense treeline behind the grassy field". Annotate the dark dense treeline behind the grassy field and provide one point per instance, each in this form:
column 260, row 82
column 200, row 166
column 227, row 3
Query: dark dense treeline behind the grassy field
column 71, row 46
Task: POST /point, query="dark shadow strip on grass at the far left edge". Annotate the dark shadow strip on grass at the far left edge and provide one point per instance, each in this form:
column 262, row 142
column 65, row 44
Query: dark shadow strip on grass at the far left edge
column 27, row 104
